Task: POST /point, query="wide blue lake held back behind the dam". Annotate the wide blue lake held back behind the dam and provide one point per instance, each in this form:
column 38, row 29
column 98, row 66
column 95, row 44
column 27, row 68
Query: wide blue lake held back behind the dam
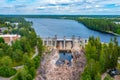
column 61, row 27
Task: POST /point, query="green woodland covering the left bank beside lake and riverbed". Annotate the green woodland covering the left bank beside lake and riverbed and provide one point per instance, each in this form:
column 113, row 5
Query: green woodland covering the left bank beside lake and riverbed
column 20, row 53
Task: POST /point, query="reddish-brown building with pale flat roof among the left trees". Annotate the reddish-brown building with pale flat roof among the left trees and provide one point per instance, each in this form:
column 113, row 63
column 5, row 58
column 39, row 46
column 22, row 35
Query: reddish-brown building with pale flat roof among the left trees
column 9, row 38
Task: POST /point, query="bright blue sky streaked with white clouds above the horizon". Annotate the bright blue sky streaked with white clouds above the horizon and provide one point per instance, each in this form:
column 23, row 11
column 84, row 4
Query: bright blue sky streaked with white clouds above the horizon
column 60, row 7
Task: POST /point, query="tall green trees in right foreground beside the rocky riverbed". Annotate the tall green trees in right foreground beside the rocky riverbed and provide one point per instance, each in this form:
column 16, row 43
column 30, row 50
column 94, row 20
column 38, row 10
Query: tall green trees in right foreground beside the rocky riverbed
column 100, row 57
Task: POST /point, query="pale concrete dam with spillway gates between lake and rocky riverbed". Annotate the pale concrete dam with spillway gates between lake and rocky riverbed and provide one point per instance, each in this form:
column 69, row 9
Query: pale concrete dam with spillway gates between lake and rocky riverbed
column 64, row 43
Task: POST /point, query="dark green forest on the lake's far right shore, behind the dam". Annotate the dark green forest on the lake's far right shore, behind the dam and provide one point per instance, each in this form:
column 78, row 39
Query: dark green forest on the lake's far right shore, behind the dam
column 103, row 25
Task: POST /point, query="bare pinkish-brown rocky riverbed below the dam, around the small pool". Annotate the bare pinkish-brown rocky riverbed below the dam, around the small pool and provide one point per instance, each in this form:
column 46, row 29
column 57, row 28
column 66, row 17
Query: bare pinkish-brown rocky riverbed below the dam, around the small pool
column 50, row 71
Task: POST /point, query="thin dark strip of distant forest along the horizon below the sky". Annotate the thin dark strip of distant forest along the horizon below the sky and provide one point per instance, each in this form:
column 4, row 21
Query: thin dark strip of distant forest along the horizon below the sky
column 62, row 16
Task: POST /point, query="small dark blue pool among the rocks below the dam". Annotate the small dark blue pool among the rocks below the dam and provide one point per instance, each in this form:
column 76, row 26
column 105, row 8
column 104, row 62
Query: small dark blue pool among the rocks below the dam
column 63, row 57
